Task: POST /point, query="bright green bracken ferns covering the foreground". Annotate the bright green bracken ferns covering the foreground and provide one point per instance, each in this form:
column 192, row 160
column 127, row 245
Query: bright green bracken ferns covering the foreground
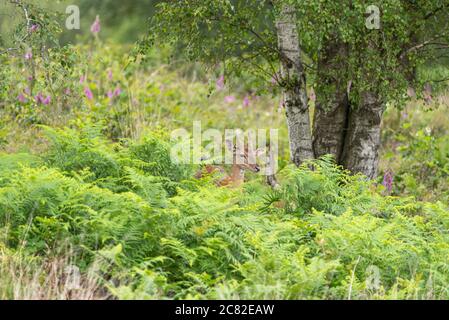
column 154, row 232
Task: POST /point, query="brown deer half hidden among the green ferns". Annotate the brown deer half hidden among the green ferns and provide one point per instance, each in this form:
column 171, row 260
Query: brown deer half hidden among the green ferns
column 240, row 164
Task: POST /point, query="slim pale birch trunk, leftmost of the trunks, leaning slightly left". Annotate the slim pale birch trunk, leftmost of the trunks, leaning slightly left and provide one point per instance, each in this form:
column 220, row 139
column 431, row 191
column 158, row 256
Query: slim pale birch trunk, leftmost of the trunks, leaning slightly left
column 294, row 86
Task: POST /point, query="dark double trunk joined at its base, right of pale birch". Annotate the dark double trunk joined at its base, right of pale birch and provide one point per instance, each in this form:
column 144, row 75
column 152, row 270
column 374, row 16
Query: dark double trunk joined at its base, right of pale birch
column 350, row 133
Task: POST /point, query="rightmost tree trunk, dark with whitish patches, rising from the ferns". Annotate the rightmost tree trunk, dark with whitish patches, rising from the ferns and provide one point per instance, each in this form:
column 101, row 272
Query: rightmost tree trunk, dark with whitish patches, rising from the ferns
column 361, row 150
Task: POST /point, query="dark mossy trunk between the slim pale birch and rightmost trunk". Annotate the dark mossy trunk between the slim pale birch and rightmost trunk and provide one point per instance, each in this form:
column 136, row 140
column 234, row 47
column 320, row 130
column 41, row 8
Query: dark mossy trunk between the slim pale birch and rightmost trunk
column 332, row 106
